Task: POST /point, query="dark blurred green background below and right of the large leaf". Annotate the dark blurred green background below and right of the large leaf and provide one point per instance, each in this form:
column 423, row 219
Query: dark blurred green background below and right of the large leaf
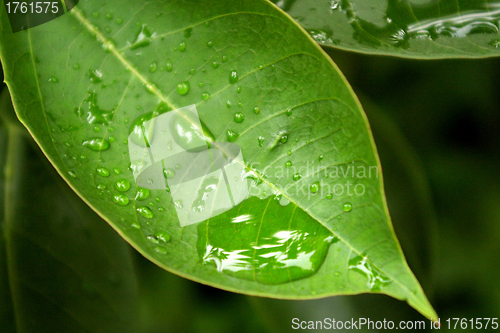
column 437, row 129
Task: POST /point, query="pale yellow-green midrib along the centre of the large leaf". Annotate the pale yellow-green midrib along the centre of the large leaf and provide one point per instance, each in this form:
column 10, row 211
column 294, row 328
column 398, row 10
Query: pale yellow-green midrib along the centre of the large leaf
column 80, row 17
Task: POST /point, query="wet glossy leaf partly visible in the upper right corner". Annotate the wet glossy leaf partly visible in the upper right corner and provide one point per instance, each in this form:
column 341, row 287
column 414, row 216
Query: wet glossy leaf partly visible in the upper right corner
column 412, row 29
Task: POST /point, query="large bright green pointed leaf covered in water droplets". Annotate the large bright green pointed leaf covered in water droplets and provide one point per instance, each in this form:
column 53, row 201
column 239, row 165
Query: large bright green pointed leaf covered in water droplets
column 83, row 82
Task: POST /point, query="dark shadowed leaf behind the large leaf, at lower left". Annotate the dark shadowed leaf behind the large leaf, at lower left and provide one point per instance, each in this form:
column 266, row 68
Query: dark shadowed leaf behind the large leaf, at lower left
column 68, row 271
